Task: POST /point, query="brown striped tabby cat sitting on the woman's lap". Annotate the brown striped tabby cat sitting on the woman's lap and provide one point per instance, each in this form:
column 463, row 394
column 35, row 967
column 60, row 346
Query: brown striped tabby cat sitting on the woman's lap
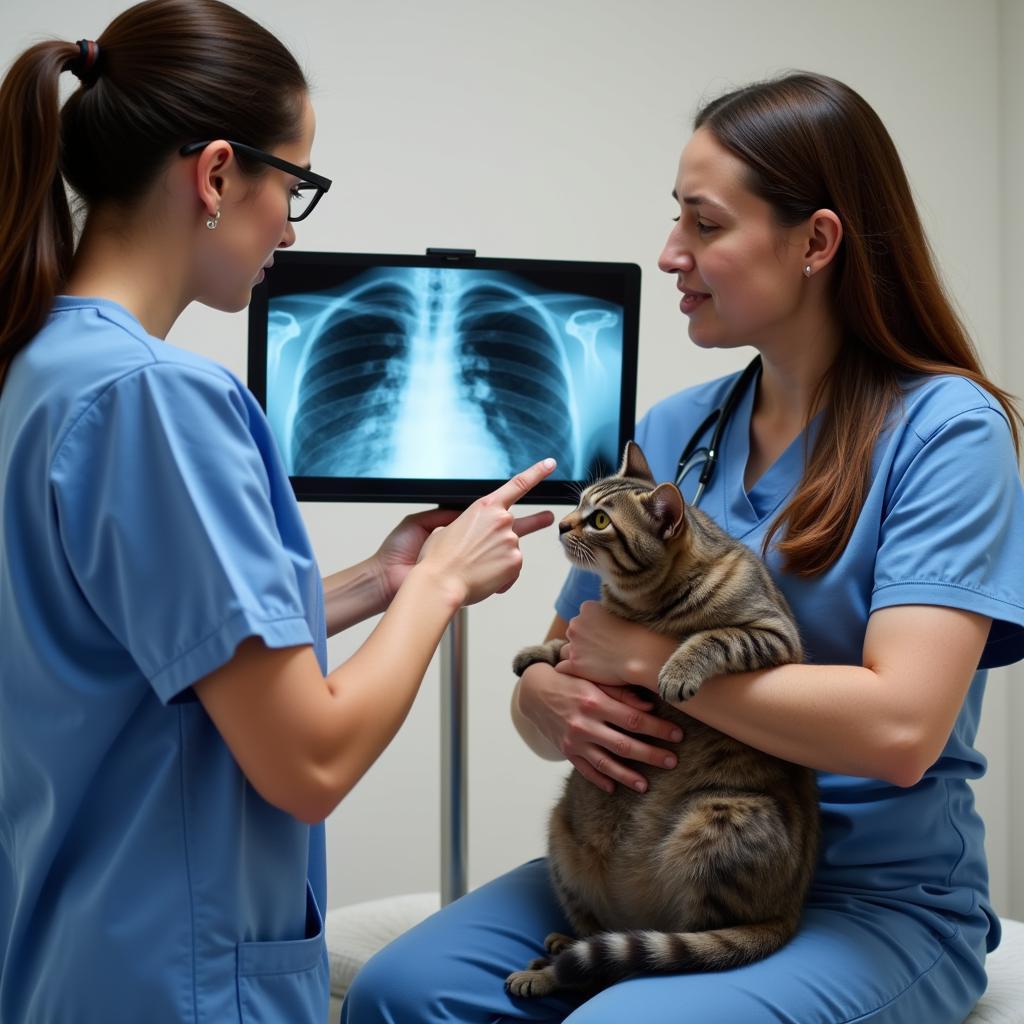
column 710, row 869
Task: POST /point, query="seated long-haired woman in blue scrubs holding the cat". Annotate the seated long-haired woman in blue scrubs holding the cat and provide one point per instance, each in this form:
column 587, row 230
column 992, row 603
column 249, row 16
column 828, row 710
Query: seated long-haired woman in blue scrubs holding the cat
column 878, row 470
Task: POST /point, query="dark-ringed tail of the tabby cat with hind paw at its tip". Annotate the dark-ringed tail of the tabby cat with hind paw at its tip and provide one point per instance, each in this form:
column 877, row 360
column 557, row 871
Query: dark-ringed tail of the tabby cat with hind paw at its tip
column 607, row 958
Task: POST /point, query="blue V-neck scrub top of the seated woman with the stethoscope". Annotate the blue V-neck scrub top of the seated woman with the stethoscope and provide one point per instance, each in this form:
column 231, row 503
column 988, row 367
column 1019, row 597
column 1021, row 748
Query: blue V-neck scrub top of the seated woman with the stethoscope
column 944, row 524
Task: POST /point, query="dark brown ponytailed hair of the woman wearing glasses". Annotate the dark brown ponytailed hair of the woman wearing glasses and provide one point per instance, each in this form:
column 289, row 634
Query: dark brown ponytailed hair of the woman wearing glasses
column 166, row 73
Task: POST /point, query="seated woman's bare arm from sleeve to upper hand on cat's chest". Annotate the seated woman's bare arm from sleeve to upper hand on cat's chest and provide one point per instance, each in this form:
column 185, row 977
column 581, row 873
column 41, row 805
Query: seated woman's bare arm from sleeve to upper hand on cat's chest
column 888, row 718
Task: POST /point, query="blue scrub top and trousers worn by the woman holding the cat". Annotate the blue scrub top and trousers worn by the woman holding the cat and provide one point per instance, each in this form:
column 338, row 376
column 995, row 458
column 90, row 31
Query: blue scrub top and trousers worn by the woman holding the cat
column 899, row 920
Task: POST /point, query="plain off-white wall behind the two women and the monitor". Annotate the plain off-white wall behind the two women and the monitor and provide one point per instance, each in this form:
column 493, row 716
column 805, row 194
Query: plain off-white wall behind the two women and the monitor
column 551, row 130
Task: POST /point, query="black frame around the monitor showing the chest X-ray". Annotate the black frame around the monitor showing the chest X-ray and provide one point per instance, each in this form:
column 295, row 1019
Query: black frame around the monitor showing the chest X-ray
column 428, row 491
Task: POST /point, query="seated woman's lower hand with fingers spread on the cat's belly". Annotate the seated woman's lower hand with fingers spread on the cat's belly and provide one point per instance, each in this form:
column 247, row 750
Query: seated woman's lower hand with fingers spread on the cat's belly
column 583, row 722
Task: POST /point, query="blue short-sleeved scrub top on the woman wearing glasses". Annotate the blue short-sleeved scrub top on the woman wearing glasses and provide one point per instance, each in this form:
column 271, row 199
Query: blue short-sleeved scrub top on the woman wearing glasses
column 148, row 529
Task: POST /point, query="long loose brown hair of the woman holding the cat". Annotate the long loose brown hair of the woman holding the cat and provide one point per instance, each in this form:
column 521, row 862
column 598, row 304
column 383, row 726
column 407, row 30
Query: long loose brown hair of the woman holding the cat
column 812, row 143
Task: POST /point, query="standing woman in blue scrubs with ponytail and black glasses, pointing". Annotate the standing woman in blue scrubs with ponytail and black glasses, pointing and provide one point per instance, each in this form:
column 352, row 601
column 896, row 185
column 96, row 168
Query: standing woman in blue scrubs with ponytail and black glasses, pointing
column 170, row 737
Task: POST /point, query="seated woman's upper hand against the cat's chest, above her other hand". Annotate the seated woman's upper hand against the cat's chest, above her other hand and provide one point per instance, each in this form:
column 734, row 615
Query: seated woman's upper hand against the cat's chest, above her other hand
column 608, row 650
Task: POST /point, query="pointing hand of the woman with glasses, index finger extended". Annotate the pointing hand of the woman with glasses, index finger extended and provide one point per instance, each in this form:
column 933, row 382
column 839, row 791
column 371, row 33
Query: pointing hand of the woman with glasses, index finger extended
column 479, row 553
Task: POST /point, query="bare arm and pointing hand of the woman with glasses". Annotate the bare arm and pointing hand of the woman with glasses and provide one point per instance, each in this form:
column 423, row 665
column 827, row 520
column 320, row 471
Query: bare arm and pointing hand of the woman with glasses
column 304, row 741
